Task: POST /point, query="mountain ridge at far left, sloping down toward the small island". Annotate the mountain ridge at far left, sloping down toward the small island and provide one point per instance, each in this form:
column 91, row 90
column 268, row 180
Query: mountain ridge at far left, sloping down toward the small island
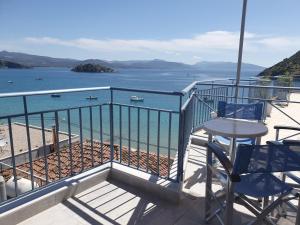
column 37, row 61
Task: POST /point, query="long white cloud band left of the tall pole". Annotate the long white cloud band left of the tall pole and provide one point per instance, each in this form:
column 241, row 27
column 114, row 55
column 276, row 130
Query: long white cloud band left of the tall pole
column 217, row 40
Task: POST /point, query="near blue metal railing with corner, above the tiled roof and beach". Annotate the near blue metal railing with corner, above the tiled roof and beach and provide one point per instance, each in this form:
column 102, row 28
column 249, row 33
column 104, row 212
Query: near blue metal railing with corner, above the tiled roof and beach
column 107, row 131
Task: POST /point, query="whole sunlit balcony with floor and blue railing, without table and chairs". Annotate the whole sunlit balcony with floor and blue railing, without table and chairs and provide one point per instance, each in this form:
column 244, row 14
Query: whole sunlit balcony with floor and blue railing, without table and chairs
column 112, row 161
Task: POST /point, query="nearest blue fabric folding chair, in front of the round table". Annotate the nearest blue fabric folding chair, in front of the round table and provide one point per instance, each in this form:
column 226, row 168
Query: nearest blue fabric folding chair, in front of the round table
column 251, row 175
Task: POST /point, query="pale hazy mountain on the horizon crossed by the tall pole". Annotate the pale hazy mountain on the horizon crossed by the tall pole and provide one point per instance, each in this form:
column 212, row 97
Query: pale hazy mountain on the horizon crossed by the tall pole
column 226, row 66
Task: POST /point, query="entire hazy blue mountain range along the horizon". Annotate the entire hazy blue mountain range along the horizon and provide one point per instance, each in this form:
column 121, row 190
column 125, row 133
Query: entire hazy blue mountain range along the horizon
column 44, row 61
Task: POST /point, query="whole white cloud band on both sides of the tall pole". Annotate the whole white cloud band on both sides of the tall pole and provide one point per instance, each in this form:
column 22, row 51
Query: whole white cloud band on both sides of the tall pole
column 262, row 49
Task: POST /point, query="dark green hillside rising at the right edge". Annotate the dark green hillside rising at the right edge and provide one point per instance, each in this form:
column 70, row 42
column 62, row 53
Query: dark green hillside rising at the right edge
column 288, row 67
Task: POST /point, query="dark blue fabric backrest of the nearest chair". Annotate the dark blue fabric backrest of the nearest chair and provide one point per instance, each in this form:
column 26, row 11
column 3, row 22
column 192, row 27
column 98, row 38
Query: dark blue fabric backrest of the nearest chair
column 266, row 159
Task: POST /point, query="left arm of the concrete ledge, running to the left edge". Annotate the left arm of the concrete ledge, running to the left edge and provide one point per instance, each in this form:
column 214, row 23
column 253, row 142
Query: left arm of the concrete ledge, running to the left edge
column 29, row 205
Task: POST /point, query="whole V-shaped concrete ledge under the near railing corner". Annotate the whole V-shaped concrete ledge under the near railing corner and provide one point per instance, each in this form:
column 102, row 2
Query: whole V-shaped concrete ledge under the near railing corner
column 30, row 204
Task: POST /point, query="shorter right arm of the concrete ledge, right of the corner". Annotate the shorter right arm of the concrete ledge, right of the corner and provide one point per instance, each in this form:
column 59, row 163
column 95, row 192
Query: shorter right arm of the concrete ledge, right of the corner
column 148, row 183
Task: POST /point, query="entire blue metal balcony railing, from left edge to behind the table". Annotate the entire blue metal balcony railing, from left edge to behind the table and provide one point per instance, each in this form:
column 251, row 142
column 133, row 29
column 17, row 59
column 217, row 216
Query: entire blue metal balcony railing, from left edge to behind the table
column 150, row 137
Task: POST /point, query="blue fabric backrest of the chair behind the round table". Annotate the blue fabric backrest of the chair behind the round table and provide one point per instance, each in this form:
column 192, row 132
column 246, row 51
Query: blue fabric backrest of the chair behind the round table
column 240, row 111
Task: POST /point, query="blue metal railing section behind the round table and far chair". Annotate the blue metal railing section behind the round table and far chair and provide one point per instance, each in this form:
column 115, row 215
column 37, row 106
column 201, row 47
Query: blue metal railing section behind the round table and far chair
column 209, row 93
